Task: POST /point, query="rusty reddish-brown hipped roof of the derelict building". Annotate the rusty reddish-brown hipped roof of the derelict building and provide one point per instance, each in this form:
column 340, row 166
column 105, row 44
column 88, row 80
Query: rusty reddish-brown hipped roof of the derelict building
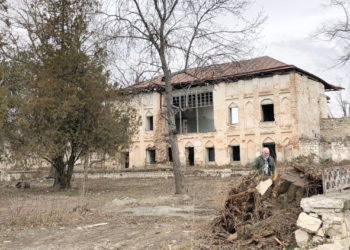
column 250, row 67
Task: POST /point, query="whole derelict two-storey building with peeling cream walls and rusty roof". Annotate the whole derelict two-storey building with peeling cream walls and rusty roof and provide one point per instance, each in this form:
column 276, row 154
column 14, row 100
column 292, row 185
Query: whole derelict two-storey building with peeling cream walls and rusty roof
column 226, row 119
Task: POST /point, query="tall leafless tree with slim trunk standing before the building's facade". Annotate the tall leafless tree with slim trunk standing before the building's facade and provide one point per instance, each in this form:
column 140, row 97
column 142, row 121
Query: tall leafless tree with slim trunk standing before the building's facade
column 171, row 36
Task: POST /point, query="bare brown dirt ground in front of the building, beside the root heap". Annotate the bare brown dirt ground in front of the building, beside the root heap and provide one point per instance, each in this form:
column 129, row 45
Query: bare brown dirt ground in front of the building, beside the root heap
column 111, row 214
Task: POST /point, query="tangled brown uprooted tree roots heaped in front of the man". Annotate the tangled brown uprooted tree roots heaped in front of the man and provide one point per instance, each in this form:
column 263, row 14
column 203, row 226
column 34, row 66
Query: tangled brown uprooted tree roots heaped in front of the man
column 252, row 221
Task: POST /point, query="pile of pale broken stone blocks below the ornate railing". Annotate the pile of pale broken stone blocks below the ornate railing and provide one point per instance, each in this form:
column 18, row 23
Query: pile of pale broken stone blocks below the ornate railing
column 324, row 223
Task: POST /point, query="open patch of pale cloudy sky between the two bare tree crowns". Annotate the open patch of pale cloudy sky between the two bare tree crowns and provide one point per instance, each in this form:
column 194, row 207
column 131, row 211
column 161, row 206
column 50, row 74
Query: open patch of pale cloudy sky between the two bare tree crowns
column 287, row 35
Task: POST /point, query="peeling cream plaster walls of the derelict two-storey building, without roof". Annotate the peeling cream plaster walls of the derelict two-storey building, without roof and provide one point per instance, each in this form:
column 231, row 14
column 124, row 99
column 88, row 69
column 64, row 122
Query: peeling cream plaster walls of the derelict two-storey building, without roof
column 289, row 97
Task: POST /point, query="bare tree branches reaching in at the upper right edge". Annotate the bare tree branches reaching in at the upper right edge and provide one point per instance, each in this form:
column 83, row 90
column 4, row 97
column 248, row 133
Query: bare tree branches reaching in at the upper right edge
column 337, row 31
